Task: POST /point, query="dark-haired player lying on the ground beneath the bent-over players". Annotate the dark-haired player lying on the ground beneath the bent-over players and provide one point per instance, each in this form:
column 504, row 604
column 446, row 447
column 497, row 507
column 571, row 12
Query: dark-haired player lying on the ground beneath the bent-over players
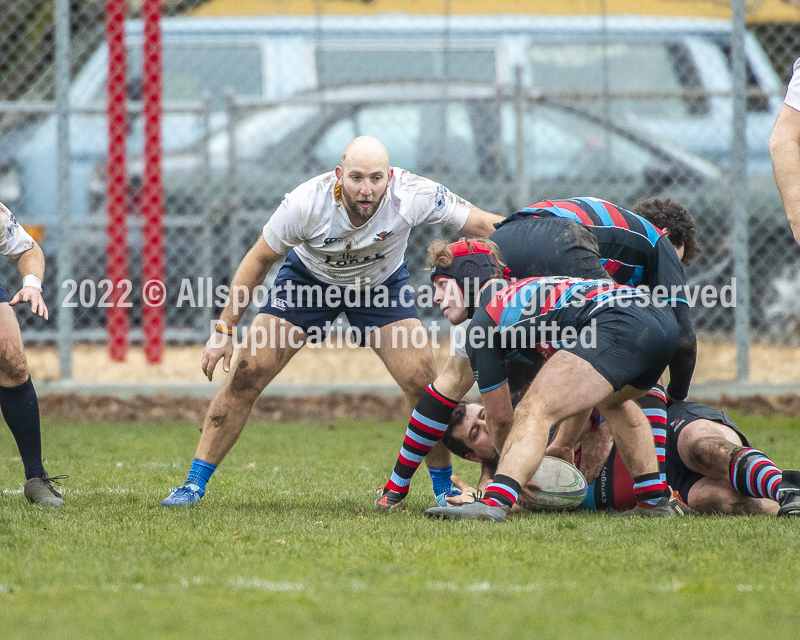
column 710, row 463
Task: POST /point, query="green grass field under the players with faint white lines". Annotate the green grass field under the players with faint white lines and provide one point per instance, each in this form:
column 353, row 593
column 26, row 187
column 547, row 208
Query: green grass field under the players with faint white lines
column 289, row 547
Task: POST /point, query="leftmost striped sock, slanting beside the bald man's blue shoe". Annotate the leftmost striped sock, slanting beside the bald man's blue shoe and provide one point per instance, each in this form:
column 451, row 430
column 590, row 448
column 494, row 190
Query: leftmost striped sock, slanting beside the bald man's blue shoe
column 426, row 427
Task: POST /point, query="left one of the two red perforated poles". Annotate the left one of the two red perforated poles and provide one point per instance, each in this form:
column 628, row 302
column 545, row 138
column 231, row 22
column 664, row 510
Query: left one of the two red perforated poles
column 117, row 321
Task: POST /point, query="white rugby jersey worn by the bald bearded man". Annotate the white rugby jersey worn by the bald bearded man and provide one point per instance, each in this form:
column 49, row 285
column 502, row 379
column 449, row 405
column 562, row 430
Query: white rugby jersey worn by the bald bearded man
column 312, row 220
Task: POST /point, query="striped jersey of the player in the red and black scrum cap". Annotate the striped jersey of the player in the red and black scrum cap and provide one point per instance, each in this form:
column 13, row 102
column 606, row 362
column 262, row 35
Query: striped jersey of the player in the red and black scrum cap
column 536, row 314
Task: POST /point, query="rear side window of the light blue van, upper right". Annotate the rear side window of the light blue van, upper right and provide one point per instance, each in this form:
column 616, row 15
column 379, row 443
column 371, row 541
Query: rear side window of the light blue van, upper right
column 663, row 67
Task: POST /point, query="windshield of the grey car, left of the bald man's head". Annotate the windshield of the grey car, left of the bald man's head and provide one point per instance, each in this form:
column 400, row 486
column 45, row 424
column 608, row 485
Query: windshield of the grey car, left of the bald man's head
column 256, row 133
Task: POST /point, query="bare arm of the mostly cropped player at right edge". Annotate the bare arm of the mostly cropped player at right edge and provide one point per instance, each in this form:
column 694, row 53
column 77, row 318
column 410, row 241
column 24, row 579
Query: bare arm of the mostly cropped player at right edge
column 784, row 147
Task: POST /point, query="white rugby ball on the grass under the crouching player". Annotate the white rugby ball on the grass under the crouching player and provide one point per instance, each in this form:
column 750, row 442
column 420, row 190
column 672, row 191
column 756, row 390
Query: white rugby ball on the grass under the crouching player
column 556, row 486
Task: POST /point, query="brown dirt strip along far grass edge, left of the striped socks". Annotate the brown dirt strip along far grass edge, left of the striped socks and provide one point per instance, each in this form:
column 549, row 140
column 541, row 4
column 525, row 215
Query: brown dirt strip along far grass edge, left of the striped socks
column 158, row 409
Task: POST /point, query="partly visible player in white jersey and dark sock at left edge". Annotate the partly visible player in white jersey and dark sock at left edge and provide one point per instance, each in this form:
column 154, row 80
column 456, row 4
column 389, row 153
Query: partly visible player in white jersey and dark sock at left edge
column 18, row 401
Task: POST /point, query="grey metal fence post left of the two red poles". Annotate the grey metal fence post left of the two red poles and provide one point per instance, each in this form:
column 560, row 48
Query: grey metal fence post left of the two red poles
column 64, row 254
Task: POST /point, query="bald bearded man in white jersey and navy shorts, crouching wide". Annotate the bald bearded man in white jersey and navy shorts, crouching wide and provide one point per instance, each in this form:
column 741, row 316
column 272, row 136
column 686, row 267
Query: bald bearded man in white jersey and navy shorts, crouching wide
column 344, row 235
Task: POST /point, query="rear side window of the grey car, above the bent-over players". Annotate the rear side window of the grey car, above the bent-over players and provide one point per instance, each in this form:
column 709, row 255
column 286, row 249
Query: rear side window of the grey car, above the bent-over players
column 564, row 145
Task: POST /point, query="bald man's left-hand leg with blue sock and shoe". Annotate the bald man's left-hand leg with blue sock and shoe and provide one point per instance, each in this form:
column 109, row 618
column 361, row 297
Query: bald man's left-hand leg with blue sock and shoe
column 270, row 344
